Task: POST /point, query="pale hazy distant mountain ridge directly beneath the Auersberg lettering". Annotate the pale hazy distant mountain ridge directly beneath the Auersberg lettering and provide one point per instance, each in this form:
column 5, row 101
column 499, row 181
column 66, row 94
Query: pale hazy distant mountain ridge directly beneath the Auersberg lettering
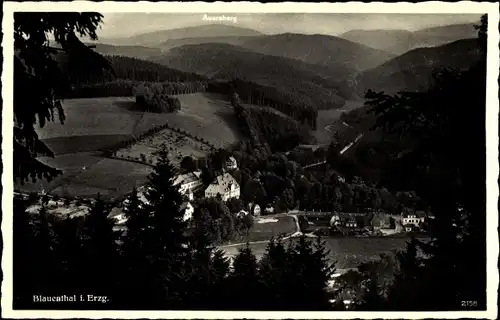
column 156, row 38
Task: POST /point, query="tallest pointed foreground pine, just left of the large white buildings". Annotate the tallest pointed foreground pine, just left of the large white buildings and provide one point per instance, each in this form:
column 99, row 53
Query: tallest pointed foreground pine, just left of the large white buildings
column 156, row 242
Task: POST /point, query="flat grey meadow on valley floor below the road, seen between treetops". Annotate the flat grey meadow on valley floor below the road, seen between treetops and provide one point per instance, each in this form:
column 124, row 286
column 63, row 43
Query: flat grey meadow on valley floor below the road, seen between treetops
column 347, row 252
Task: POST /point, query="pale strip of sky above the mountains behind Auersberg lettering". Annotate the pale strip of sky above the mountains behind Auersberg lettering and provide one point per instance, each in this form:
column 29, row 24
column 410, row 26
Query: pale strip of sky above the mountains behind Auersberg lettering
column 127, row 24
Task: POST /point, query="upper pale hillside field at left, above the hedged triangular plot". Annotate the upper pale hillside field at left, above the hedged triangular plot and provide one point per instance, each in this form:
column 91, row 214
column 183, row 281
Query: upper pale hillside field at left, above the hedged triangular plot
column 94, row 123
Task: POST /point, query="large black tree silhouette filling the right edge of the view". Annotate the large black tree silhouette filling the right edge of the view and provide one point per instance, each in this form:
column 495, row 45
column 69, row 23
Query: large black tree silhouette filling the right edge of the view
column 446, row 166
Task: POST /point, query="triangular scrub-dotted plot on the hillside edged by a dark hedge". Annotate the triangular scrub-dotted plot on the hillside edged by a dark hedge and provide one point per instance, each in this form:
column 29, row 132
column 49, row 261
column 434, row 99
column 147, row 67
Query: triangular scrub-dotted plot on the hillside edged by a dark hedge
column 179, row 146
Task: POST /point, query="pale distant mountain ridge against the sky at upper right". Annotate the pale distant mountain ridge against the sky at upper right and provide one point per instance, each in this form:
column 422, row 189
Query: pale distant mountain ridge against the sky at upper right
column 401, row 41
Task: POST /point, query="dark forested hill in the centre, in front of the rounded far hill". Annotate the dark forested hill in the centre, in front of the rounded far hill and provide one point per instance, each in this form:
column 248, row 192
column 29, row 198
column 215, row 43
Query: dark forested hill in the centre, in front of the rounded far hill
column 227, row 62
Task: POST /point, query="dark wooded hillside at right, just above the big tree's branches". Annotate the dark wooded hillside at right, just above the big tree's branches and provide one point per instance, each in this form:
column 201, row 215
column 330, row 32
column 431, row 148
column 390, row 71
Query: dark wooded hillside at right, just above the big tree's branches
column 413, row 70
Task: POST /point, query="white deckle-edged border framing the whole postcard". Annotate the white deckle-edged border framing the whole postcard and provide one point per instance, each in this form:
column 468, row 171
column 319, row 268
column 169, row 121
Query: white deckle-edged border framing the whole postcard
column 464, row 7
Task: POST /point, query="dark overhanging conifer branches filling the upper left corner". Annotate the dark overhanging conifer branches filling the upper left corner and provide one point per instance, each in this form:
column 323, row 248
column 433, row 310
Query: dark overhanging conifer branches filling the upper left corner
column 40, row 82
